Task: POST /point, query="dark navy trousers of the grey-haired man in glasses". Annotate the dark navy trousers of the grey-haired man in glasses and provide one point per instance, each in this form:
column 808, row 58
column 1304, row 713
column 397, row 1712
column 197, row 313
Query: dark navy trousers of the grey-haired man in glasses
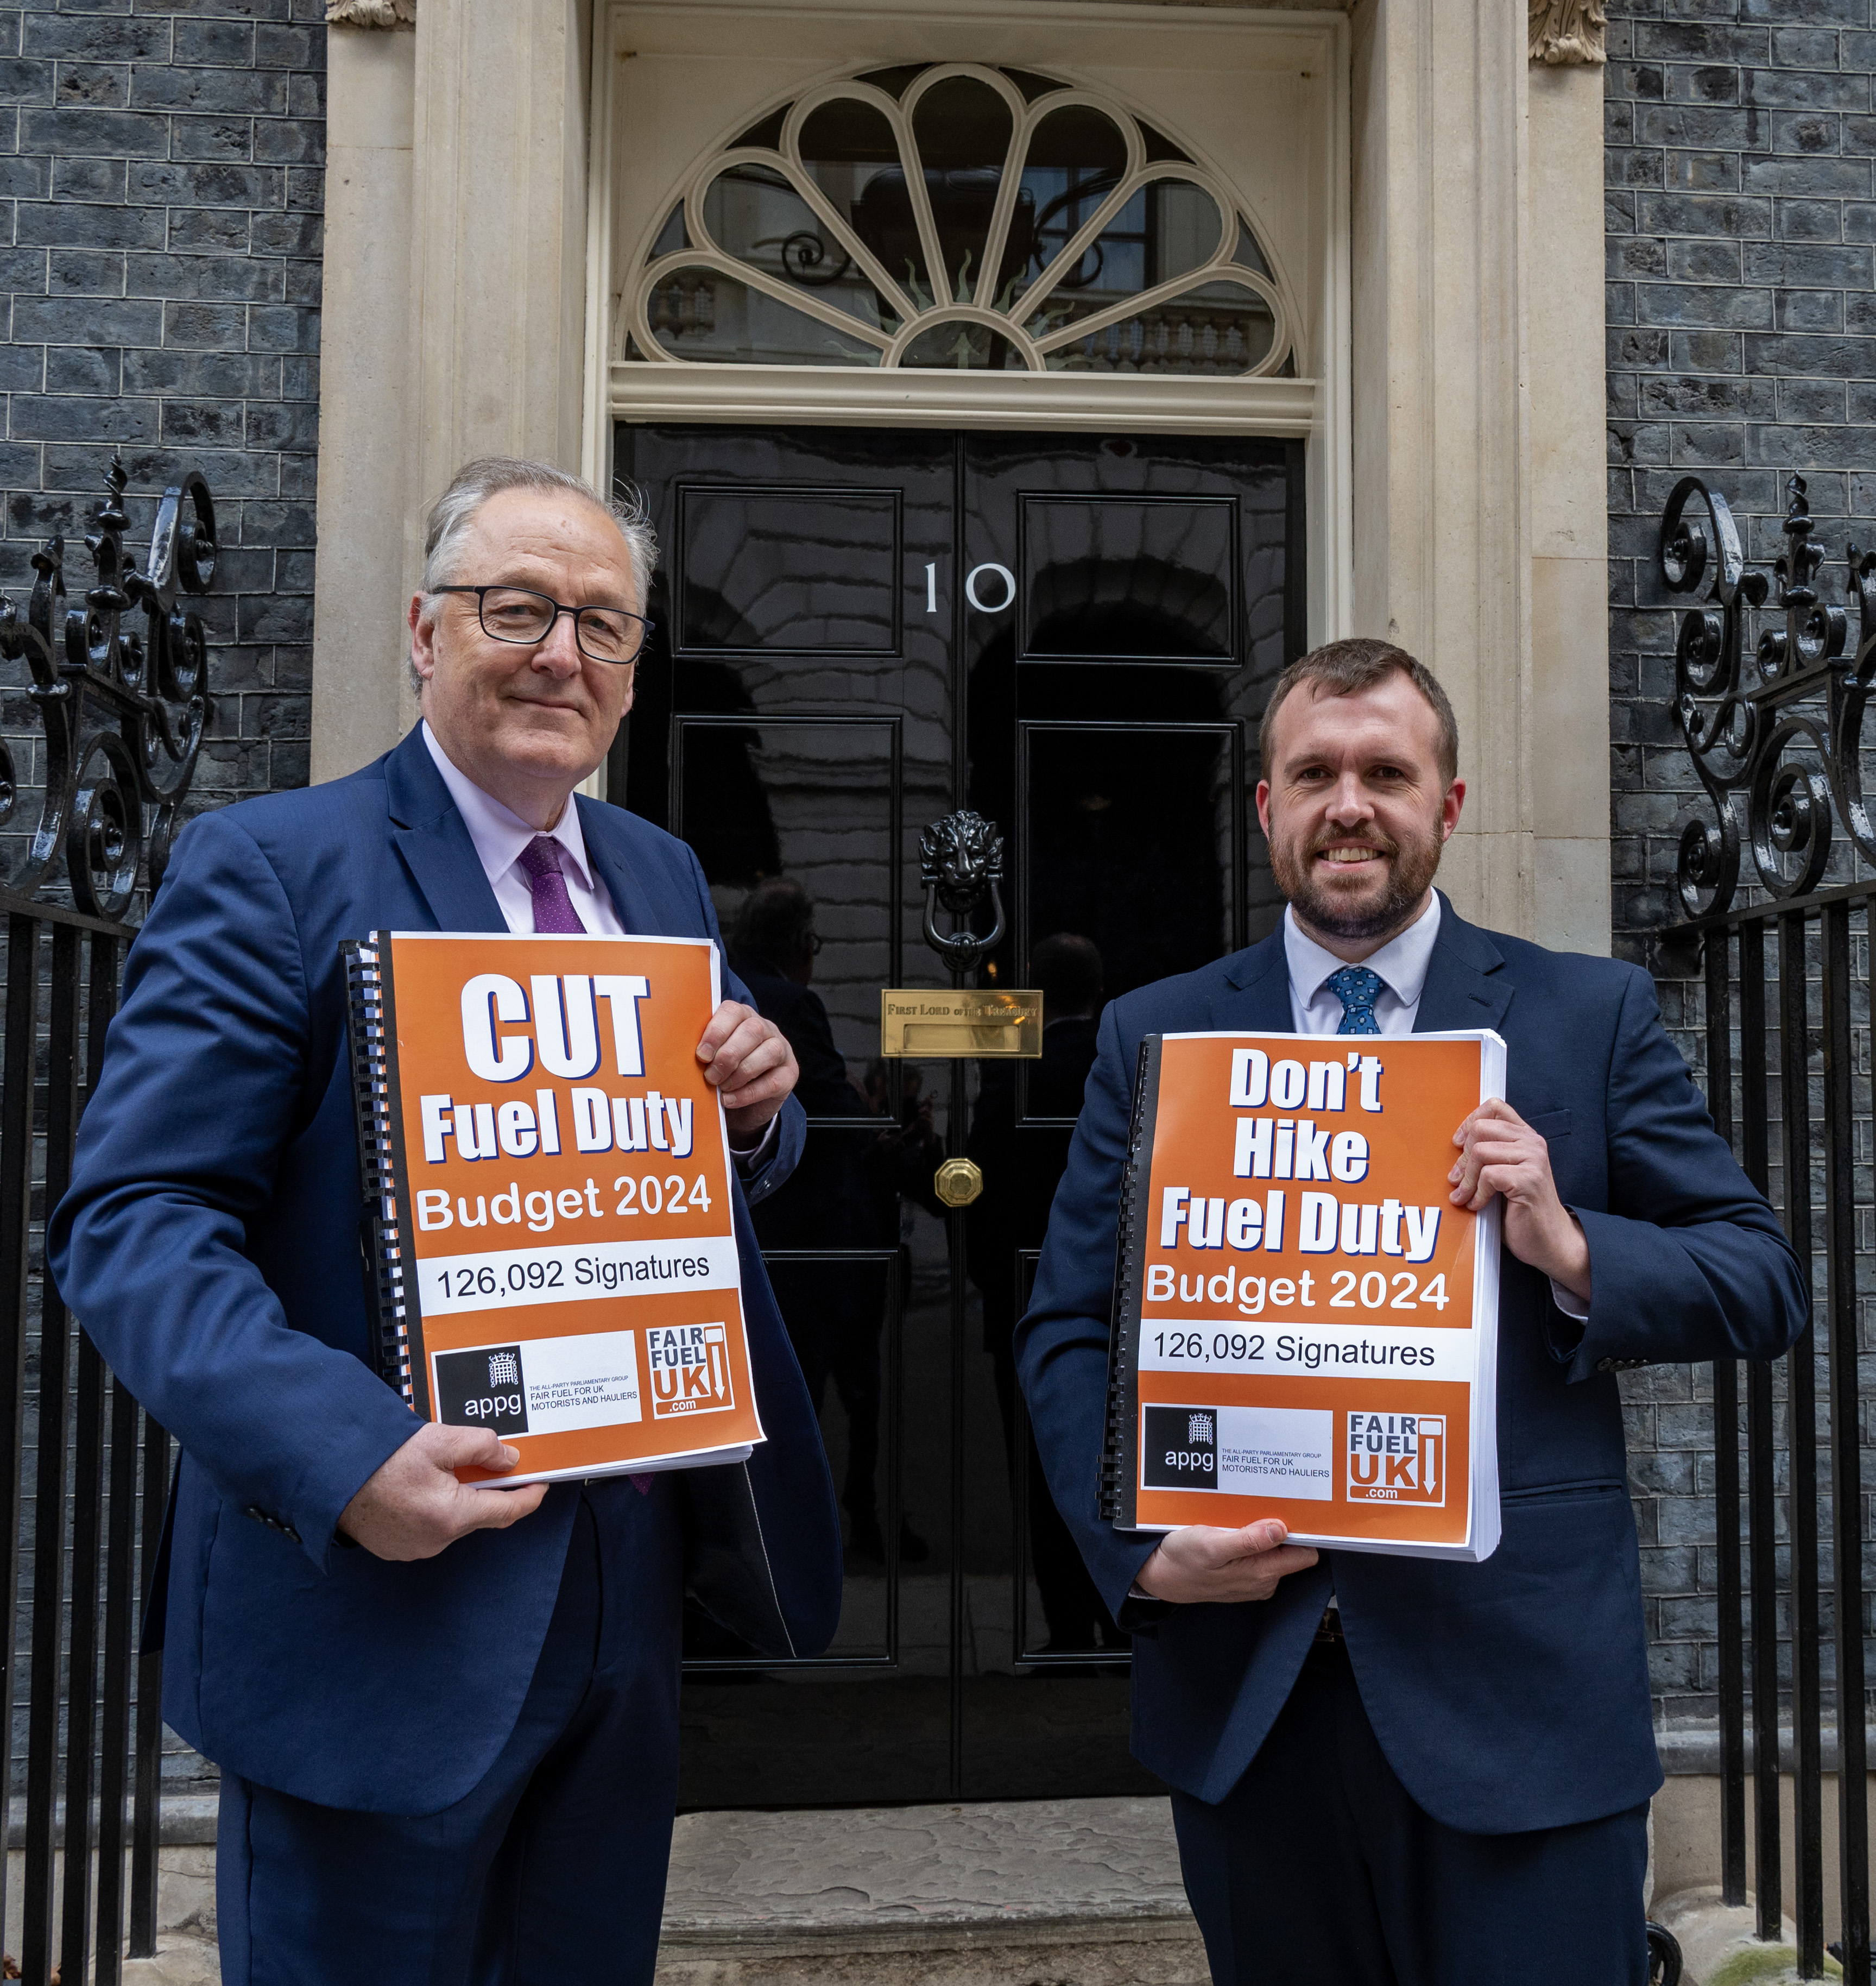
column 553, row 1870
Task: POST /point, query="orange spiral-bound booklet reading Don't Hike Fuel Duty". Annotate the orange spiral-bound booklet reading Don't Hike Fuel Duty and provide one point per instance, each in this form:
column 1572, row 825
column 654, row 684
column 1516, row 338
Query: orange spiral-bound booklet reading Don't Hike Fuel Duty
column 1305, row 1326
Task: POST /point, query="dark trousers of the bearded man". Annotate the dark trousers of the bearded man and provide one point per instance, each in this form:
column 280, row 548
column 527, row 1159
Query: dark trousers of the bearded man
column 1319, row 1866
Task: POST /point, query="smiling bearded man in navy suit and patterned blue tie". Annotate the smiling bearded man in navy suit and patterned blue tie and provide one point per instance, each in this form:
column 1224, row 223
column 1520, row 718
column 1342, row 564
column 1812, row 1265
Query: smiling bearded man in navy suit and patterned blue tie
column 1401, row 1773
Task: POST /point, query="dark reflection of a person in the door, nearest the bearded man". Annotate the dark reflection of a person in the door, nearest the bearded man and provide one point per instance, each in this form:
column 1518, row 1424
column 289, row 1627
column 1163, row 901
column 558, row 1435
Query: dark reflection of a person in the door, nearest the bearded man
column 1011, row 1214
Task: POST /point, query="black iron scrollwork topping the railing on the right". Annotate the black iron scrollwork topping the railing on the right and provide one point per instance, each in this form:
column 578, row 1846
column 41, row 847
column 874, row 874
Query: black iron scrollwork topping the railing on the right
column 1800, row 770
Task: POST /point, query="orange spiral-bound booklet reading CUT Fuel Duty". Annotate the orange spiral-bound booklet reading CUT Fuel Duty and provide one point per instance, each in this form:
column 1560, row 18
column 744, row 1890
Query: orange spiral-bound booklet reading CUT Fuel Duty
column 547, row 1197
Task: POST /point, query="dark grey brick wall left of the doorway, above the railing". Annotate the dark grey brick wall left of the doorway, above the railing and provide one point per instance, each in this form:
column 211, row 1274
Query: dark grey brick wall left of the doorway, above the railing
column 160, row 243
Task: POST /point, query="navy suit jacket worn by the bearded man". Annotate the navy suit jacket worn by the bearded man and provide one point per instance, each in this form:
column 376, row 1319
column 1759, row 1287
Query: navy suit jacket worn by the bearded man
column 1508, row 1695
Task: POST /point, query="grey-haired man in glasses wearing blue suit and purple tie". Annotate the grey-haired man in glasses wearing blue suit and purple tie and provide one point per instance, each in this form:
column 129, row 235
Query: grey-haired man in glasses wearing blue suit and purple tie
column 446, row 1719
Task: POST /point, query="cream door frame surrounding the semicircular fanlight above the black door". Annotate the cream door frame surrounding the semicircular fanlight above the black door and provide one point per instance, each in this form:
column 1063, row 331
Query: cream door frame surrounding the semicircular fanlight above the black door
column 668, row 94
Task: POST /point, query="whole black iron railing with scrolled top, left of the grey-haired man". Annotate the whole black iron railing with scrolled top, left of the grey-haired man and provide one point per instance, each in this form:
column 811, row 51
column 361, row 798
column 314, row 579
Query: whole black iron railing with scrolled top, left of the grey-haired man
column 106, row 722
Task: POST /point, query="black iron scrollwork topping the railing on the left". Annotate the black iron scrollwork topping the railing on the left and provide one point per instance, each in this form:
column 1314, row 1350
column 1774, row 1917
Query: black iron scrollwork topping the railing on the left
column 122, row 712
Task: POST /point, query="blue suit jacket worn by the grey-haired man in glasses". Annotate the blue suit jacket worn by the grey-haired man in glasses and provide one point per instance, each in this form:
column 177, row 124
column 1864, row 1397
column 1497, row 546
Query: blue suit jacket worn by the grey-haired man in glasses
column 211, row 1248
